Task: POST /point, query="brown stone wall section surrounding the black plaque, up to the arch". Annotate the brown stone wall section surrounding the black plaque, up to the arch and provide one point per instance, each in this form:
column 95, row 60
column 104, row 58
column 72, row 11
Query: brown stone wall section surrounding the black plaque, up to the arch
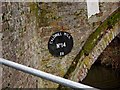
column 70, row 17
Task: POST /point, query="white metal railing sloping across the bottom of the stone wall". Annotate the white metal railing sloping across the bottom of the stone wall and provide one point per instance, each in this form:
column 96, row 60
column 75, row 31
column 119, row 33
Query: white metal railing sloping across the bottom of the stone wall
column 44, row 75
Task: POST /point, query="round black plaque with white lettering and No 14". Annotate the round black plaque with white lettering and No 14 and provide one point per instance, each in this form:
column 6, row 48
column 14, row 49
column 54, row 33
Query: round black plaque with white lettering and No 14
column 60, row 43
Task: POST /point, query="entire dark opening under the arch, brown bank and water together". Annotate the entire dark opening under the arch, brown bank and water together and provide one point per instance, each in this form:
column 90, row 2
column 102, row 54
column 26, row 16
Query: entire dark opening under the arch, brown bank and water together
column 105, row 72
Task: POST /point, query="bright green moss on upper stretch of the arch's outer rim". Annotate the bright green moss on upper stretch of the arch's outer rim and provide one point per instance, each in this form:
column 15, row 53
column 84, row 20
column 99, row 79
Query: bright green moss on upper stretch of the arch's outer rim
column 107, row 24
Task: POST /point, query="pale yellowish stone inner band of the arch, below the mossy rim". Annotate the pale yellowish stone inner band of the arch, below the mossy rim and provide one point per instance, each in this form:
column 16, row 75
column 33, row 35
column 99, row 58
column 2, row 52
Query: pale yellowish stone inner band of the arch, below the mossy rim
column 83, row 67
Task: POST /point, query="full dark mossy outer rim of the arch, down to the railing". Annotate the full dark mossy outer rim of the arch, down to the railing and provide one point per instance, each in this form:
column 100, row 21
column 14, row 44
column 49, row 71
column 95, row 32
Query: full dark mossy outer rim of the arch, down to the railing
column 93, row 39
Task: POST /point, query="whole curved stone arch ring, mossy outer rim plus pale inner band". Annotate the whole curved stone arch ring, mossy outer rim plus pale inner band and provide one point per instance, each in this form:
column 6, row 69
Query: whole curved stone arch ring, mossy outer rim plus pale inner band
column 94, row 46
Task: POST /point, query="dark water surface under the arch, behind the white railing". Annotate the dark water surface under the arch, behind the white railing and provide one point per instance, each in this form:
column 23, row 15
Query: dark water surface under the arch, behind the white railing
column 103, row 78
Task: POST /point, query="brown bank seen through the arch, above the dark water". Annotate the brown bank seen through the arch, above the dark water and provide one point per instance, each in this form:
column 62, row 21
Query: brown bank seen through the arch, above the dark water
column 110, row 57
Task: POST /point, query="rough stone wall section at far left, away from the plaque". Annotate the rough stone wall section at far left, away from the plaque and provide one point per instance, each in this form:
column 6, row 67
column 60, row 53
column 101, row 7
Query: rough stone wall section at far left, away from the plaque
column 19, row 44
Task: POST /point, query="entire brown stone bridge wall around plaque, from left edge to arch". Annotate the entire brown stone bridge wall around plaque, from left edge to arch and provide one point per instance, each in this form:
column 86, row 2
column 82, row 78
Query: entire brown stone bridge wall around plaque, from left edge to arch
column 26, row 29
